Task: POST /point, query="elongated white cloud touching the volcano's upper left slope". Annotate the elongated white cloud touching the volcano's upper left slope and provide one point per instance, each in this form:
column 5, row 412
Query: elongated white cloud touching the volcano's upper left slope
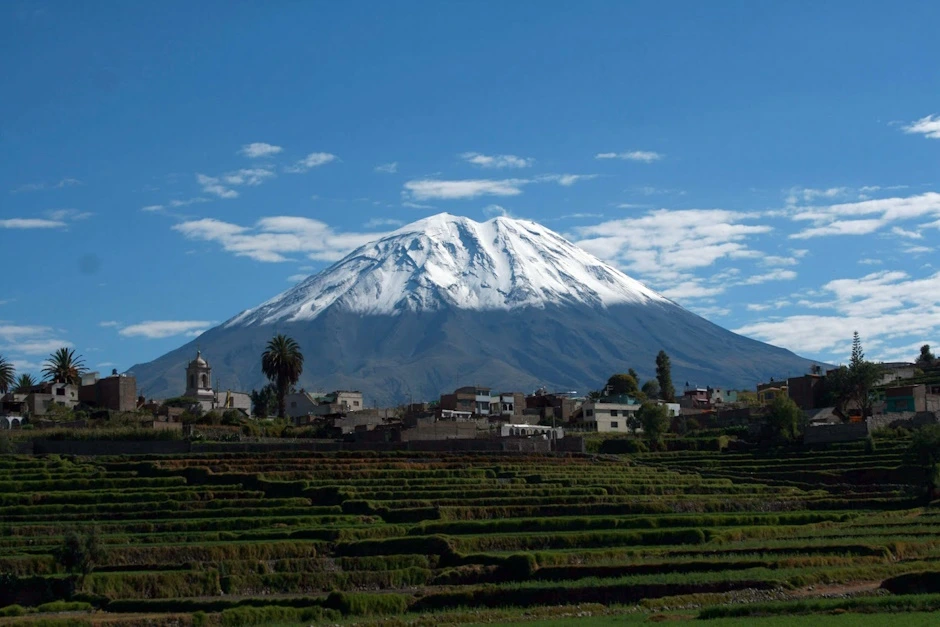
column 273, row 239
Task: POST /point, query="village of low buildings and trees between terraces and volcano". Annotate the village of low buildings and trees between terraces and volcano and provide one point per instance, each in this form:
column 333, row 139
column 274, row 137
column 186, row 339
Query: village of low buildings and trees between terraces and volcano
column 904, row 394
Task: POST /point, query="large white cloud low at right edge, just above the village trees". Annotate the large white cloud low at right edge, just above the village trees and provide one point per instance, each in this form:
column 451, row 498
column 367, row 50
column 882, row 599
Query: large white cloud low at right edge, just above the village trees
column 883, row 306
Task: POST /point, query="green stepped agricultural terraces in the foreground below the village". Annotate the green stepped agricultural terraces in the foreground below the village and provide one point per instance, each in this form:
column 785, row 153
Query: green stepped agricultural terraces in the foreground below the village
column 424, row 539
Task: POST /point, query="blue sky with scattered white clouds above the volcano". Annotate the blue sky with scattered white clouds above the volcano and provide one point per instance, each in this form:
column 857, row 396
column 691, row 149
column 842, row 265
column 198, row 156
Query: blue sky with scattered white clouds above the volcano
column 771, row 166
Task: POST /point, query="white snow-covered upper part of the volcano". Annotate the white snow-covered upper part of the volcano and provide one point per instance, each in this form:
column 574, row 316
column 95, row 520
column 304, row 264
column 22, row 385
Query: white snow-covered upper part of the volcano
column 446, row 260
